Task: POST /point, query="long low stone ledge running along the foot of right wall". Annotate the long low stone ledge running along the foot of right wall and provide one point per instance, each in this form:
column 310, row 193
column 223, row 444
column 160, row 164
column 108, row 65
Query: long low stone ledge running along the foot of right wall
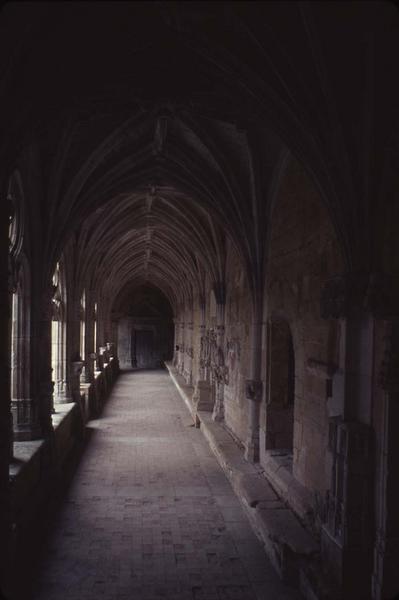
column 288, row 544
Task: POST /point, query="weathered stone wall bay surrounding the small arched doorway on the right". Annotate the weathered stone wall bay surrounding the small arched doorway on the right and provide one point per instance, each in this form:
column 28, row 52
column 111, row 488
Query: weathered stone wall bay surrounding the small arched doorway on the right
column 304, row 253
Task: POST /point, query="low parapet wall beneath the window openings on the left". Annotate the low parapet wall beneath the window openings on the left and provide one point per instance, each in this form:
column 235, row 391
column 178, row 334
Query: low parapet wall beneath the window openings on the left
column 40, row 467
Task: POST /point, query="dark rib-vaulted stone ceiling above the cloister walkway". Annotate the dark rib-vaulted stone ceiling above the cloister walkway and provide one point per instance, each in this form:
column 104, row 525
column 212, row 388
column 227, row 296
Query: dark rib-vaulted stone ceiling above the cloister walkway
column 162, row 128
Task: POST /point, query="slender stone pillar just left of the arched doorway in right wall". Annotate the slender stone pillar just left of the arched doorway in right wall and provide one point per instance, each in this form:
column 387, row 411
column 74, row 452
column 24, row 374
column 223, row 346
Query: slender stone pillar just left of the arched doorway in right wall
column 253, row 387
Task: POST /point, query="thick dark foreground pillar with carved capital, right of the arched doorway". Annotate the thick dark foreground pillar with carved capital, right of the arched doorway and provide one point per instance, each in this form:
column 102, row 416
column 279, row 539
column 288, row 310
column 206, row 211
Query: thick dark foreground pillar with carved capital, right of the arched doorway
column 347, row 537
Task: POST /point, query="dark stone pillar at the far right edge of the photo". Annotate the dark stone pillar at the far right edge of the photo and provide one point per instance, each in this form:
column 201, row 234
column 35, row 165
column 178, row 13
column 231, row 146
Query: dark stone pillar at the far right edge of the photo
column 386, row 550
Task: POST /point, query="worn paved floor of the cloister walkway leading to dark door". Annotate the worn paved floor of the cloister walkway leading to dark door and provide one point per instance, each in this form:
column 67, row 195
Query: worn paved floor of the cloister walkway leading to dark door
column 150, row 513
